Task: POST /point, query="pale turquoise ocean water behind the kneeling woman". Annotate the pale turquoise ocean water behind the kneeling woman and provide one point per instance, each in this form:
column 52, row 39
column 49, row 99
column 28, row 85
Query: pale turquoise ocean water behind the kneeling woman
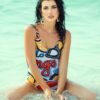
column 82, row 20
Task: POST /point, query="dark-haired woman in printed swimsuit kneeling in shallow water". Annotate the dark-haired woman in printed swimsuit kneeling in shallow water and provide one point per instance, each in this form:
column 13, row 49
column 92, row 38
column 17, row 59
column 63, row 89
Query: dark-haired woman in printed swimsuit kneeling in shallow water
column 47, row 47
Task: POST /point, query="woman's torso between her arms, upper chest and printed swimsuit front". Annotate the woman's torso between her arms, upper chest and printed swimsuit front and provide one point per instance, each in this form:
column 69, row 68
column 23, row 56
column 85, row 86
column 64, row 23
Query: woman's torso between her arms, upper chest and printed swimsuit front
column 48, row 50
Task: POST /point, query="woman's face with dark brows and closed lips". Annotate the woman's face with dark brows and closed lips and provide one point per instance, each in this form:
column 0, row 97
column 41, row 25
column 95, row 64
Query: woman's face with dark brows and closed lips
column 49, row 10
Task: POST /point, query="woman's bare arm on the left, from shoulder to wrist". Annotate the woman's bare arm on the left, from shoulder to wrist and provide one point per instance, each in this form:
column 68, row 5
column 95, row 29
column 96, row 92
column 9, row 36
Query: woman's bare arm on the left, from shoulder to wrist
column 30, row 49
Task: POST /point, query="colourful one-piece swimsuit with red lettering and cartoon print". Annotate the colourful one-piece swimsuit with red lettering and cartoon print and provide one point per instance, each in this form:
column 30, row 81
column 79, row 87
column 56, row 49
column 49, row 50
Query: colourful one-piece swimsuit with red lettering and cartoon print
column 47, row 61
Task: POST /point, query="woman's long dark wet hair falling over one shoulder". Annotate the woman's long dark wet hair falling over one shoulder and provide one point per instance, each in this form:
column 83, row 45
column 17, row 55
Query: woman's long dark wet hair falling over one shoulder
column 60, row 26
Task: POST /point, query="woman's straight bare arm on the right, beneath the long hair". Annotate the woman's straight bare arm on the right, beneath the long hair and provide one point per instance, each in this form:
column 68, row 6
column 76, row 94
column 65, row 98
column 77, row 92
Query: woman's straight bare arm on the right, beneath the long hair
column 63, row 64
